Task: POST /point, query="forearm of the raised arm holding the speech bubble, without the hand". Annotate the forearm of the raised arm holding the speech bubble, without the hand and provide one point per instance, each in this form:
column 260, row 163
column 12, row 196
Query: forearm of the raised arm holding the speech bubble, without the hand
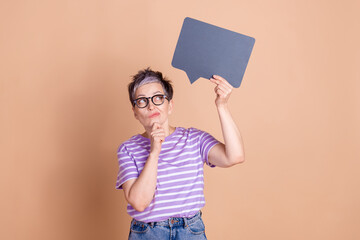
column 234, row 149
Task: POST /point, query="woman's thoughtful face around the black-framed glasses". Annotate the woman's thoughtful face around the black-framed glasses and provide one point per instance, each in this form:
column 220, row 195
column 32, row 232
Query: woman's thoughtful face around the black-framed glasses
column 150, row 114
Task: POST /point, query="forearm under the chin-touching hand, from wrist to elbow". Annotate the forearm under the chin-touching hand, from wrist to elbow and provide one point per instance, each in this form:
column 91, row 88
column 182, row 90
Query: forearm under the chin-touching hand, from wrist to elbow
column 143, row 189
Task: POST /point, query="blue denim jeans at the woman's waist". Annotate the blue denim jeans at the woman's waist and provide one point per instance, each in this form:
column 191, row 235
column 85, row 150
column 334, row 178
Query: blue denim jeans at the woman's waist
column 174, row 228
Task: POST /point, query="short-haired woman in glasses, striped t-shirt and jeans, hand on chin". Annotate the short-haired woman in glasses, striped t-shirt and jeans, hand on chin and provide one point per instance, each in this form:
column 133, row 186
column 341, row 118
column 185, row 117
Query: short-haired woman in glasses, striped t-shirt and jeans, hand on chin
column 161, row 170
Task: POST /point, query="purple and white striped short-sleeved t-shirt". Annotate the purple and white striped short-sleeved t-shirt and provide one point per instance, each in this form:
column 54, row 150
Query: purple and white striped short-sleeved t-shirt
column 180, row 180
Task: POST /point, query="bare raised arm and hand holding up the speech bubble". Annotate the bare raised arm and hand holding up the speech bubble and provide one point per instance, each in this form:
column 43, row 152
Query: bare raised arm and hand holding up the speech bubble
column 232, row 152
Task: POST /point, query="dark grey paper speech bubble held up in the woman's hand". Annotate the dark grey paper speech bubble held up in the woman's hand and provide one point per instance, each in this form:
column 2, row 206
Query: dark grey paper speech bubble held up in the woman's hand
column 204, row 49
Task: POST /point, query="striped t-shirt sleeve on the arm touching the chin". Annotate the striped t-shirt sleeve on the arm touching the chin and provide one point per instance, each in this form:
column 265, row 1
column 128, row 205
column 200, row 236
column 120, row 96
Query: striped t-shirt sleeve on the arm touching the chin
column 127, row 167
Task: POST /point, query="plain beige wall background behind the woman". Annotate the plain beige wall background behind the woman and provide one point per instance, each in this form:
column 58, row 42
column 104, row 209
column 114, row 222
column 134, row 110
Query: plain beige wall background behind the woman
column 64, row 110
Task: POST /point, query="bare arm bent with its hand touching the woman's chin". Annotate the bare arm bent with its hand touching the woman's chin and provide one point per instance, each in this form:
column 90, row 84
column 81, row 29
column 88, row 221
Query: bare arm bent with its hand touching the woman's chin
column 140, row 192
